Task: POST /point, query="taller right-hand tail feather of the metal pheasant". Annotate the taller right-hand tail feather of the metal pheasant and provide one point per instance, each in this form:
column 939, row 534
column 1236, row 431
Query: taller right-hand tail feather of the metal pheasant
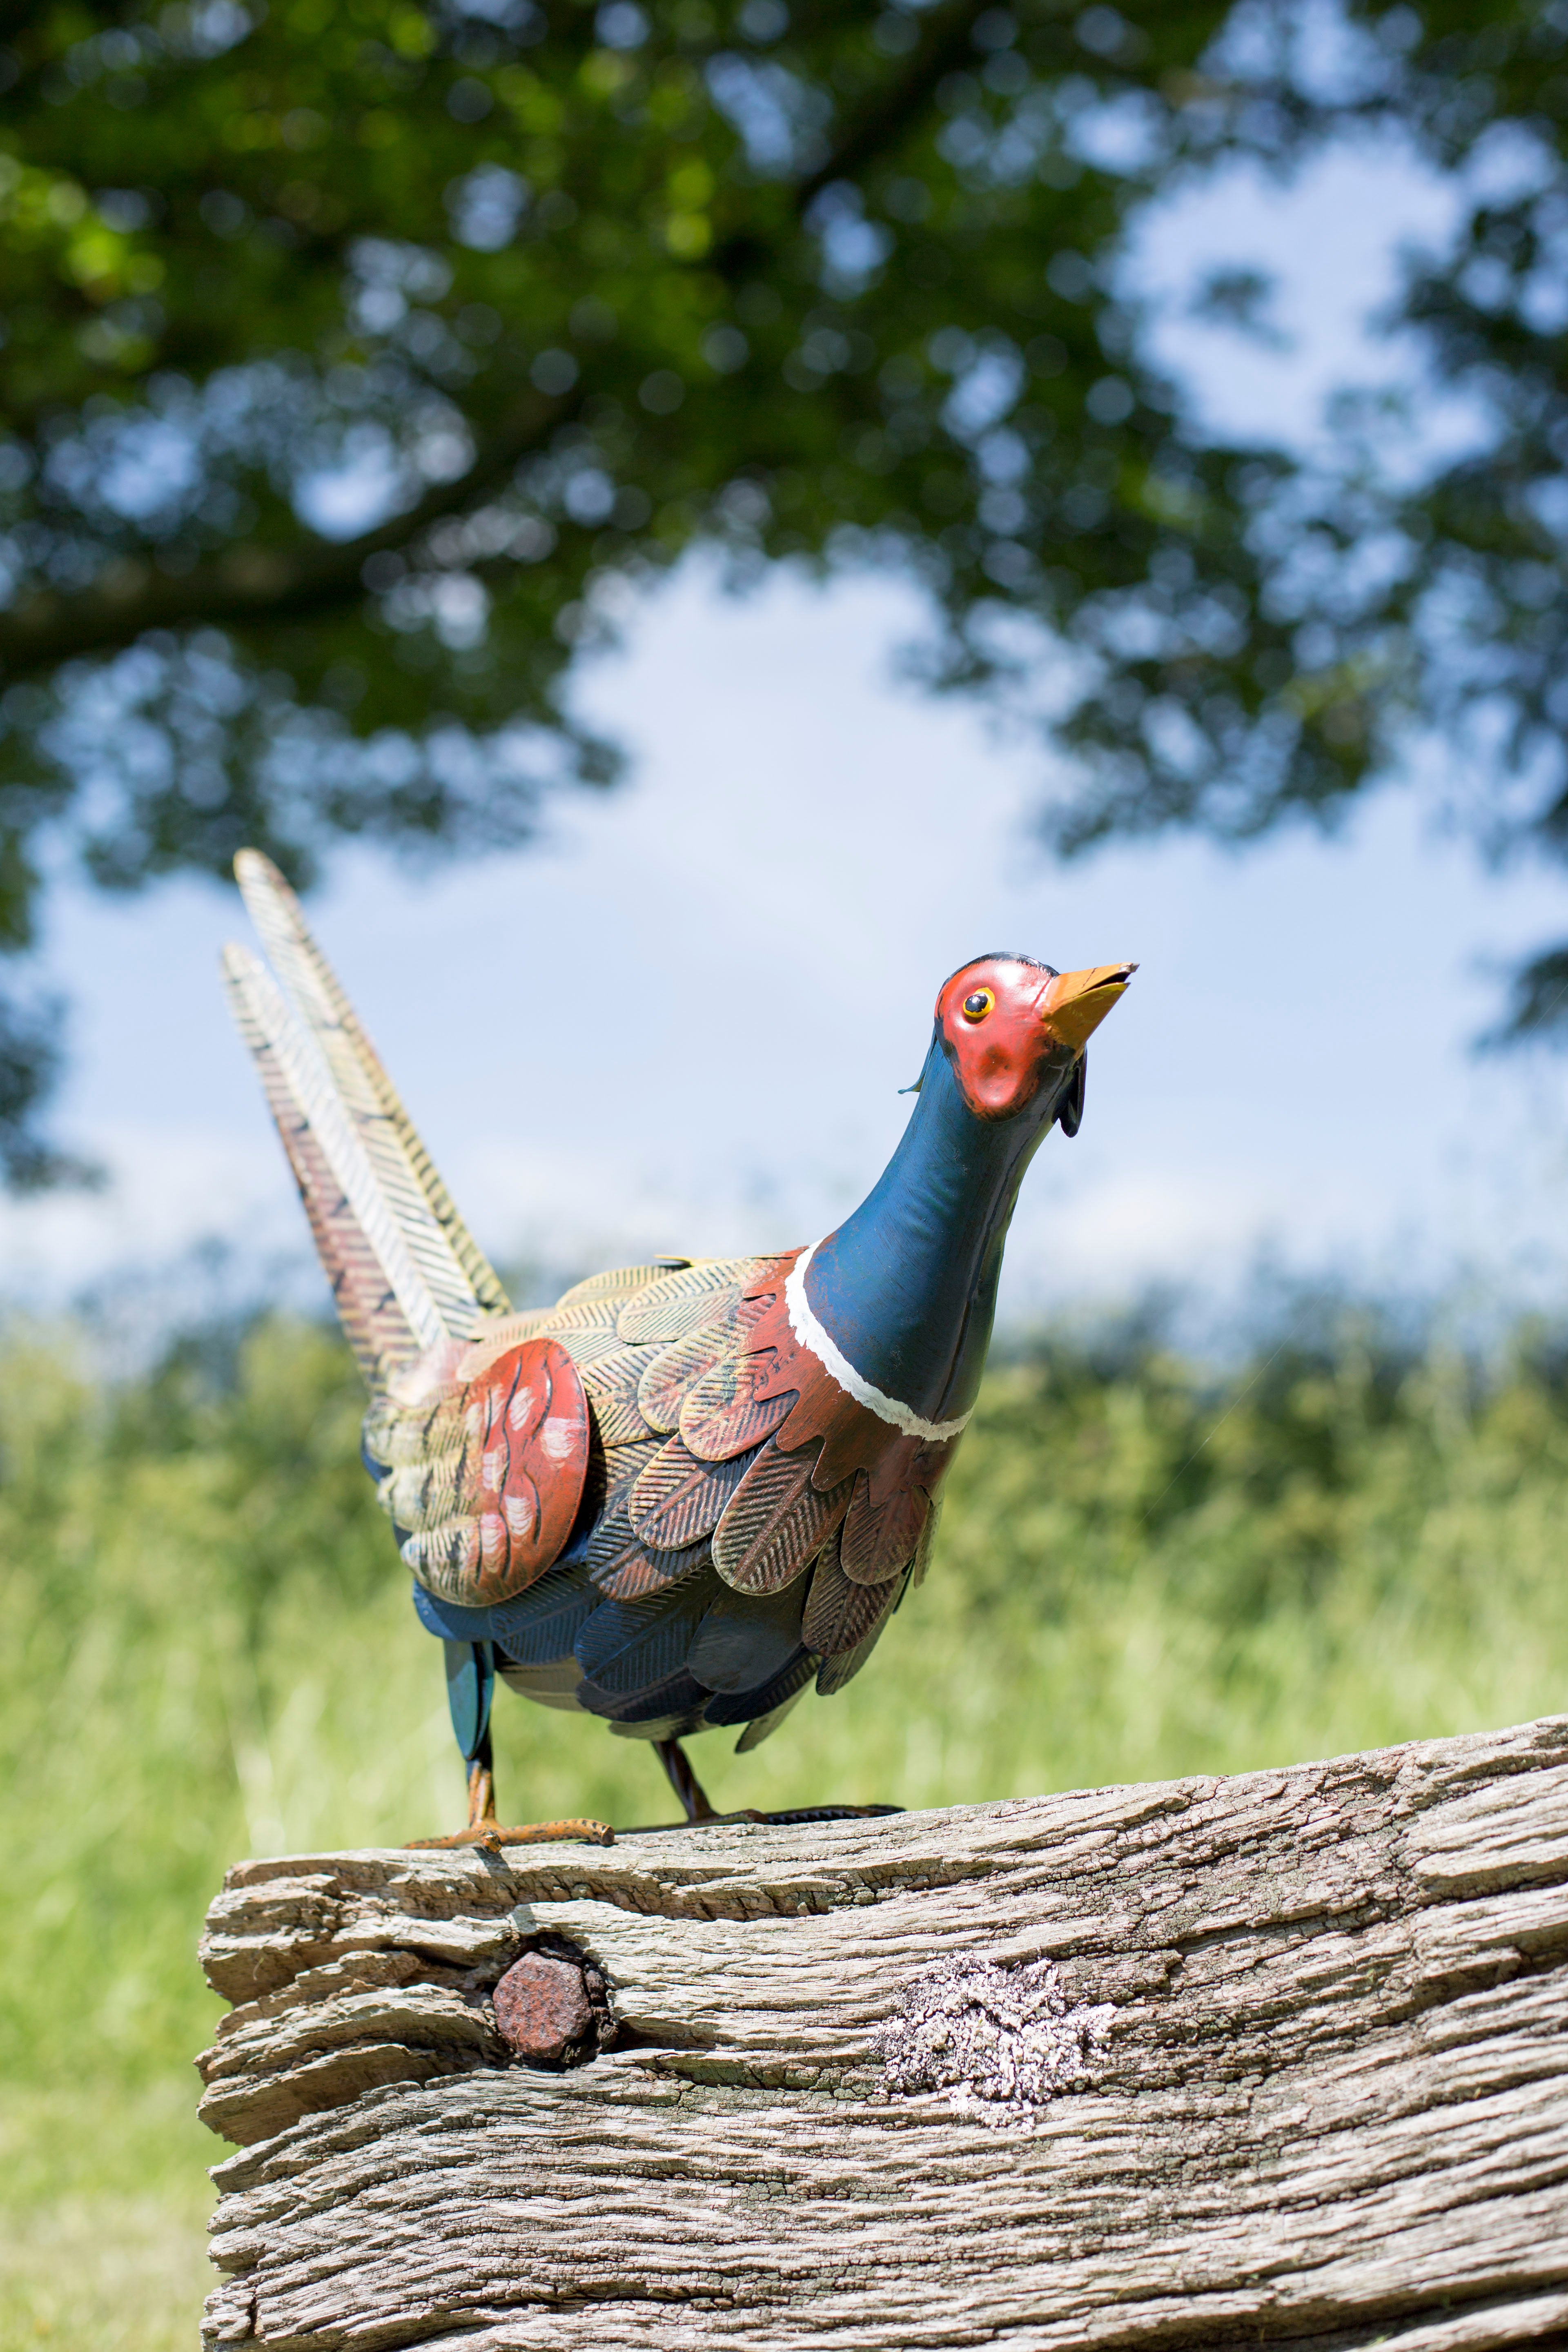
column 455, row 1269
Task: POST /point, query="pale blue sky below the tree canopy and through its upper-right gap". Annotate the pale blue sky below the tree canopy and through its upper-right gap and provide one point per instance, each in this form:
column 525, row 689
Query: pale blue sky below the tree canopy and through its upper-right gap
column 683, row 1020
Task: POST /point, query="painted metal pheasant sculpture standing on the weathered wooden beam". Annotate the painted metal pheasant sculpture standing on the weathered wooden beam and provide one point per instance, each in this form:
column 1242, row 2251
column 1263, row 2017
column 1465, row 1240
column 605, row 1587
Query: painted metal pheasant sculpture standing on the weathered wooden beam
column 692, row 1488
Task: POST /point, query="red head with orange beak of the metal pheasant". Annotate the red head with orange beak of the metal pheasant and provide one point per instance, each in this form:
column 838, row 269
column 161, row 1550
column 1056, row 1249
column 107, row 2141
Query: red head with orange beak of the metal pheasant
column 1007, row 1024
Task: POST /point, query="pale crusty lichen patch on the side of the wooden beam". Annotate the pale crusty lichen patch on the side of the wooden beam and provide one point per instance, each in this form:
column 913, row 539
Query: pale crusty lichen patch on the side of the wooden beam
column 1000, row 2043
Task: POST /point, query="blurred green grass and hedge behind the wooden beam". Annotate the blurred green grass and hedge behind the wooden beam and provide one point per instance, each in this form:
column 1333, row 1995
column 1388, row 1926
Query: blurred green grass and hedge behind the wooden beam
column 210, row 1652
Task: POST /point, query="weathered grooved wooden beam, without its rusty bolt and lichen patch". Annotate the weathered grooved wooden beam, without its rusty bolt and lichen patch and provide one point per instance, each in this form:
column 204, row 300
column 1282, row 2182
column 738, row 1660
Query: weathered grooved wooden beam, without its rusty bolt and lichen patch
column 1329, row 2109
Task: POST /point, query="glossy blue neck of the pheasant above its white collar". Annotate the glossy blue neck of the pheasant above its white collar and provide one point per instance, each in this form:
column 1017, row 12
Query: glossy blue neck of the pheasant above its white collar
column 909, row 1285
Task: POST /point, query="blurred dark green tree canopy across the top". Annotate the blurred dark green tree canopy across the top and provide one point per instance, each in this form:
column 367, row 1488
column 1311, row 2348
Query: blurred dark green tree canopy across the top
column 363, row 354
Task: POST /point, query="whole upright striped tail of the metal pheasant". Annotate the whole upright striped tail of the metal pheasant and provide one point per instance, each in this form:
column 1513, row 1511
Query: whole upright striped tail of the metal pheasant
column 403, row 1267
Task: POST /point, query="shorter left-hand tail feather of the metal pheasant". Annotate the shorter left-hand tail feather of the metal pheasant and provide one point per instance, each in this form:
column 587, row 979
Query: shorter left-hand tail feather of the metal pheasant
column 387, row 1304
